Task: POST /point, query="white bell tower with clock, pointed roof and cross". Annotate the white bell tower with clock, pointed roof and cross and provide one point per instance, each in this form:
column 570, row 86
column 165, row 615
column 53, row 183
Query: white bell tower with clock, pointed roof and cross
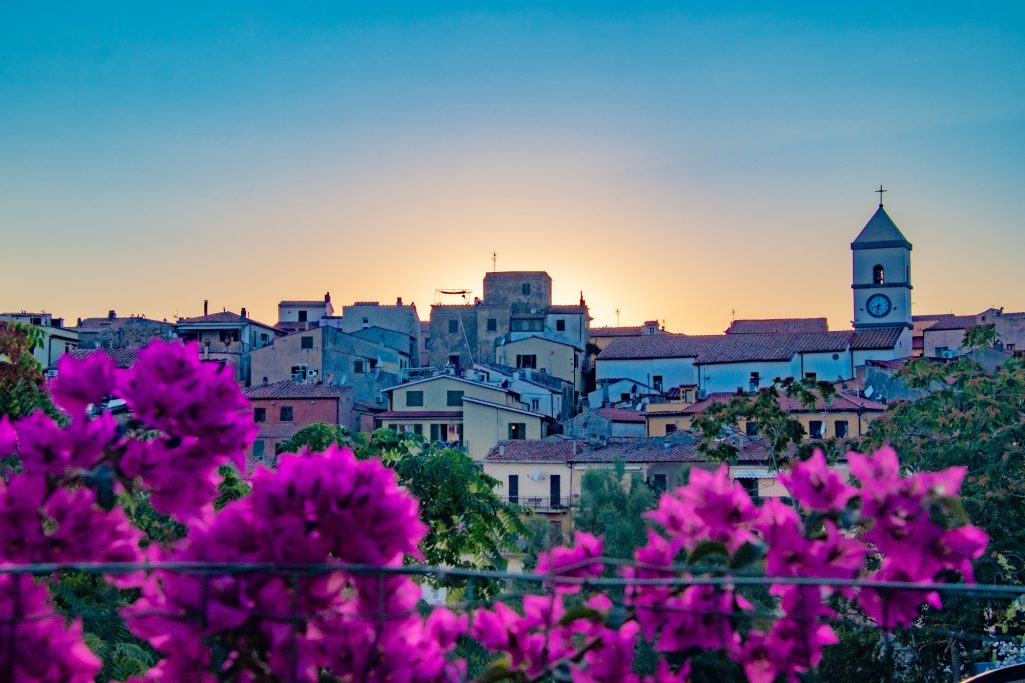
column 882, row 280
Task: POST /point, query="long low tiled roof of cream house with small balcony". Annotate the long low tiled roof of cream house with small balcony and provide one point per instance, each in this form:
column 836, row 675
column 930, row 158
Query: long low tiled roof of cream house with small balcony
column 682, row 448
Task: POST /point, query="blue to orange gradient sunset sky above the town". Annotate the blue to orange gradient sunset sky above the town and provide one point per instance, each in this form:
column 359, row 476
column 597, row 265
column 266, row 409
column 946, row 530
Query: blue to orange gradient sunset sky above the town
column 675, row 163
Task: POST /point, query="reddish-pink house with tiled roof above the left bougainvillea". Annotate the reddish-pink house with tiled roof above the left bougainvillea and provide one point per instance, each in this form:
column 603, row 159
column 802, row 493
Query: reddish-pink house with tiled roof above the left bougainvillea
column 282, row 409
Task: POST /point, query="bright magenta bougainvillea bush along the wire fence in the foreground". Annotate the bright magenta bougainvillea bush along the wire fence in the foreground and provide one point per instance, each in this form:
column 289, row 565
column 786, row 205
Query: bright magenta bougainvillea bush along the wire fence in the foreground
column 684, row 595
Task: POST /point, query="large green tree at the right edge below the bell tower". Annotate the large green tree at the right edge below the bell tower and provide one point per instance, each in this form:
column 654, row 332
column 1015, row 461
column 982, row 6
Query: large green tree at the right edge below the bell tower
column 974, row 420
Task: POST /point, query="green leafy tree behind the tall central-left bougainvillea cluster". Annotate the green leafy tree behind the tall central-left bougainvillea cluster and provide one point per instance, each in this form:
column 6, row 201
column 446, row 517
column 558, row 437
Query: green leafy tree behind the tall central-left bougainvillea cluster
column 469, row 525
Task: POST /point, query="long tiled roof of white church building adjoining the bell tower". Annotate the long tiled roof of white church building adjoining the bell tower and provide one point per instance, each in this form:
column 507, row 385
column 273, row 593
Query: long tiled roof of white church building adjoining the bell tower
column 748, row 348
